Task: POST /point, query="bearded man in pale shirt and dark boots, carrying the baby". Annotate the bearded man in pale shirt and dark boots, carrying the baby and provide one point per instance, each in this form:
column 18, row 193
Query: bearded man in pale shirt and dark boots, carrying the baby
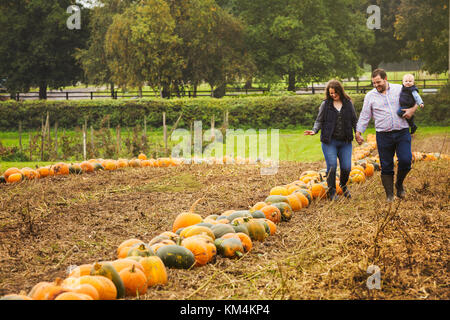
column 392, row 131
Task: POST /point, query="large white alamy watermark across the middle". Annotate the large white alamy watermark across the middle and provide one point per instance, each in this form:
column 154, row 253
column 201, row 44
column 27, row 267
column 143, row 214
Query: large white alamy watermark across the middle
column 240, row 146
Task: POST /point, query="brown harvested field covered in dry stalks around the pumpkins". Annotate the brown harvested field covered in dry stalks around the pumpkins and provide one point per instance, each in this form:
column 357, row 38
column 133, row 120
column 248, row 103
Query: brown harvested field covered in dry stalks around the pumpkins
column 46, row 226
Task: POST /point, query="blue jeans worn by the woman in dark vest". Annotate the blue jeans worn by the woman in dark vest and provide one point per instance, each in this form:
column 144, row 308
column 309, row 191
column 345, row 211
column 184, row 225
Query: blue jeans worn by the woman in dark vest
column 341, row 150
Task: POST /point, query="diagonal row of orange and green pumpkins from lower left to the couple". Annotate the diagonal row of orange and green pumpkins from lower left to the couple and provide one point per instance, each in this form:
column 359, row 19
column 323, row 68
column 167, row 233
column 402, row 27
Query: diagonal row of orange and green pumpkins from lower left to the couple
column 193, row 241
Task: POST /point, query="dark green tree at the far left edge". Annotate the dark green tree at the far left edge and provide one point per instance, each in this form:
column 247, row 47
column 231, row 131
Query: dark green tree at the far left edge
column 37, row 47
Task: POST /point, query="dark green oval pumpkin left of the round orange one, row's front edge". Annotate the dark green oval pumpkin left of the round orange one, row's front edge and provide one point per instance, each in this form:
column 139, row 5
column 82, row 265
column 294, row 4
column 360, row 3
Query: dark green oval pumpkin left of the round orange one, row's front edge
column 175, row 256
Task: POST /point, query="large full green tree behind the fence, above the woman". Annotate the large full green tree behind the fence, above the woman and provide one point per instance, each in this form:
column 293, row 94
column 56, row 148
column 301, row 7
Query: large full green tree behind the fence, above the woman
column 305, row 40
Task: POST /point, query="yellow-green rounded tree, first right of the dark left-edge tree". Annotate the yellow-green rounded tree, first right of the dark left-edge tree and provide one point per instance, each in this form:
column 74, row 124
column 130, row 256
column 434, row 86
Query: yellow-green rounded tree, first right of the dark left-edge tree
column 141, row 46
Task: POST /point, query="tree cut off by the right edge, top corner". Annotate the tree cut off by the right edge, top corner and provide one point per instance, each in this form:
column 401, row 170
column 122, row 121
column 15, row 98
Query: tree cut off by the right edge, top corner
column 424, row 26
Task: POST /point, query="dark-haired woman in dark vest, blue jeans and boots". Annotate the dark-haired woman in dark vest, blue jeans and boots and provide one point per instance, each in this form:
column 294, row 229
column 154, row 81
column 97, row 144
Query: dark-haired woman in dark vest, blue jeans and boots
column 337, row 120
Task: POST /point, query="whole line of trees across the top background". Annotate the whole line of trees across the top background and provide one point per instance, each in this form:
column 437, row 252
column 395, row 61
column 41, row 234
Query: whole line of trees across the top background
column 173, row 44
